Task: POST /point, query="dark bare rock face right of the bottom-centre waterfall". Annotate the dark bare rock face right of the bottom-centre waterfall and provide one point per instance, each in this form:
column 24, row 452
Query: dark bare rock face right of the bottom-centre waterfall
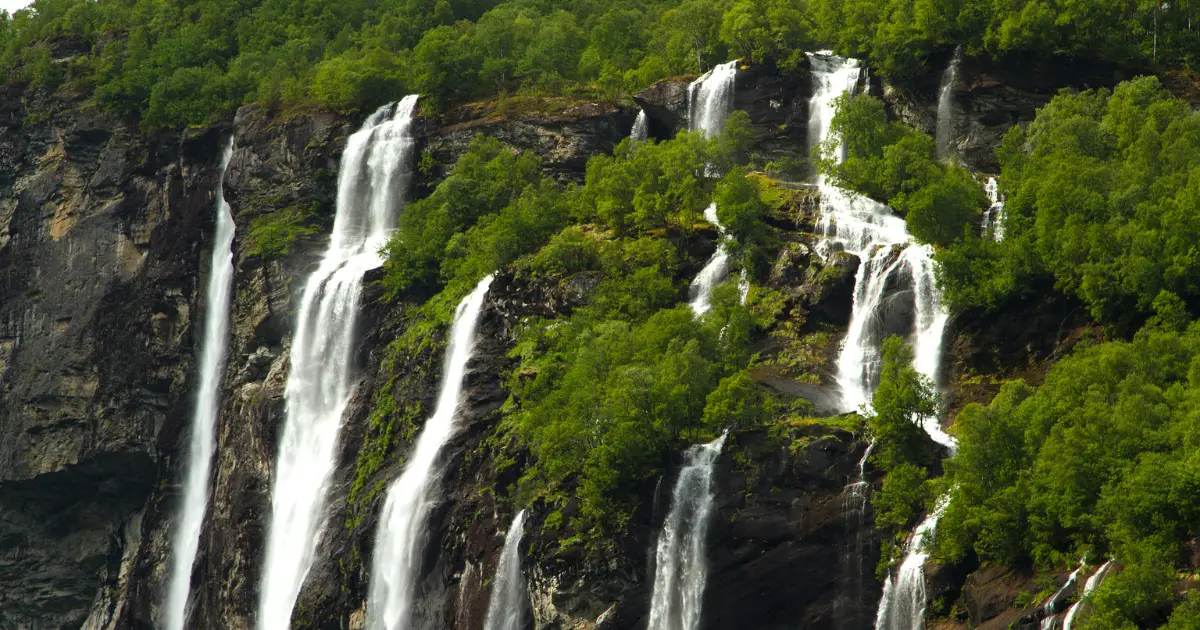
column 788, row 537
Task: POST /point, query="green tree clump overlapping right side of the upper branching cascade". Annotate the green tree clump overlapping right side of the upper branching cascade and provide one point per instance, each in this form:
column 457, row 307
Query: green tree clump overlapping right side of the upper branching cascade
column 891, row 163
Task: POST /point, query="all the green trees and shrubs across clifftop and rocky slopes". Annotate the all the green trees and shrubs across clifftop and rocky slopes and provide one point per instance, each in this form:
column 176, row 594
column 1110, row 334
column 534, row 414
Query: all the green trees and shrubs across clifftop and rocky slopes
column 1100, row 460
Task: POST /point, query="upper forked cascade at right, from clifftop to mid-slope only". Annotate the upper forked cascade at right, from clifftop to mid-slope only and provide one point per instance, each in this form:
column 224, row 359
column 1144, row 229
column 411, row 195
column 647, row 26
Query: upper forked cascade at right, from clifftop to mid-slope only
column 880, row 239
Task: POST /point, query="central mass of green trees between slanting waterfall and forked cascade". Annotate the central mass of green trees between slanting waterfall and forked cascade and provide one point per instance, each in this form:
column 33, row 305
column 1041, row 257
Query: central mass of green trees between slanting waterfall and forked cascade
column 603, row 394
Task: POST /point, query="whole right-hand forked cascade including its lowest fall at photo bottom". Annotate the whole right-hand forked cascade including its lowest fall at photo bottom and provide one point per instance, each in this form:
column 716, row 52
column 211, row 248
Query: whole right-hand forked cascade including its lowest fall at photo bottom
column 895, row 295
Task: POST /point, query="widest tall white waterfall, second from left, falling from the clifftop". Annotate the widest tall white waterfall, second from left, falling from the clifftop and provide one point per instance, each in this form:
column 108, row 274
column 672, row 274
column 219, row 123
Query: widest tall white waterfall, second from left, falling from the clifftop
column 375, row 173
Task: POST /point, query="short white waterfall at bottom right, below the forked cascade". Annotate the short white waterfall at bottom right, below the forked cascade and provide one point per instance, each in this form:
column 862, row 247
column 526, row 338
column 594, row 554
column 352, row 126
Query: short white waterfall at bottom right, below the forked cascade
column 903, row 607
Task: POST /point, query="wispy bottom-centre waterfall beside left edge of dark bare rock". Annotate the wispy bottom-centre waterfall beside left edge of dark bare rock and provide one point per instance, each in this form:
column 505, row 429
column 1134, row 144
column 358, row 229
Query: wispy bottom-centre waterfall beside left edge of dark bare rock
column 681, row 569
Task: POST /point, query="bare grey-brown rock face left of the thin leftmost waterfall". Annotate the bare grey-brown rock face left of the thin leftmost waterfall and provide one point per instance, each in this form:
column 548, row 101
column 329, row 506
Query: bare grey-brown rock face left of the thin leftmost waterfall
column 100, row 235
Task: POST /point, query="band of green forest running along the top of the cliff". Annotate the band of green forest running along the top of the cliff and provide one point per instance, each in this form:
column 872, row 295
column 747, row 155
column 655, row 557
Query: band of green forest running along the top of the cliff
column 177, row 63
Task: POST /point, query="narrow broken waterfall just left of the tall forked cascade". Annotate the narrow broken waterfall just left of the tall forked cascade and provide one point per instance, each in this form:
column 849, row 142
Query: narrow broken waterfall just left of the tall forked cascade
column 710, row 101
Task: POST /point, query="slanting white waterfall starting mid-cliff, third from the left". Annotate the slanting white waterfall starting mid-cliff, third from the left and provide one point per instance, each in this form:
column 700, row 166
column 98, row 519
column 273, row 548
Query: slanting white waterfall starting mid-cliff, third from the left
column 403, row 537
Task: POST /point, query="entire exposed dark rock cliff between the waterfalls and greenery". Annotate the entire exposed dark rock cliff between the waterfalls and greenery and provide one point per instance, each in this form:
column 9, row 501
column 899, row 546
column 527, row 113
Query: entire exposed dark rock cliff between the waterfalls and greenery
column 105, row 236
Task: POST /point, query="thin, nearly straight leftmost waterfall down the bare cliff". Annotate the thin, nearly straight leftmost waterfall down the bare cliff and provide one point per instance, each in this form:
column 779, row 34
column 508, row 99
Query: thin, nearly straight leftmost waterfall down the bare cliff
column 199, row 465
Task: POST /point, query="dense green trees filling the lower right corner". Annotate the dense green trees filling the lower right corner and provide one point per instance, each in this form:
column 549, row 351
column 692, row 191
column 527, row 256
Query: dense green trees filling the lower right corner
column 1102, row 460
